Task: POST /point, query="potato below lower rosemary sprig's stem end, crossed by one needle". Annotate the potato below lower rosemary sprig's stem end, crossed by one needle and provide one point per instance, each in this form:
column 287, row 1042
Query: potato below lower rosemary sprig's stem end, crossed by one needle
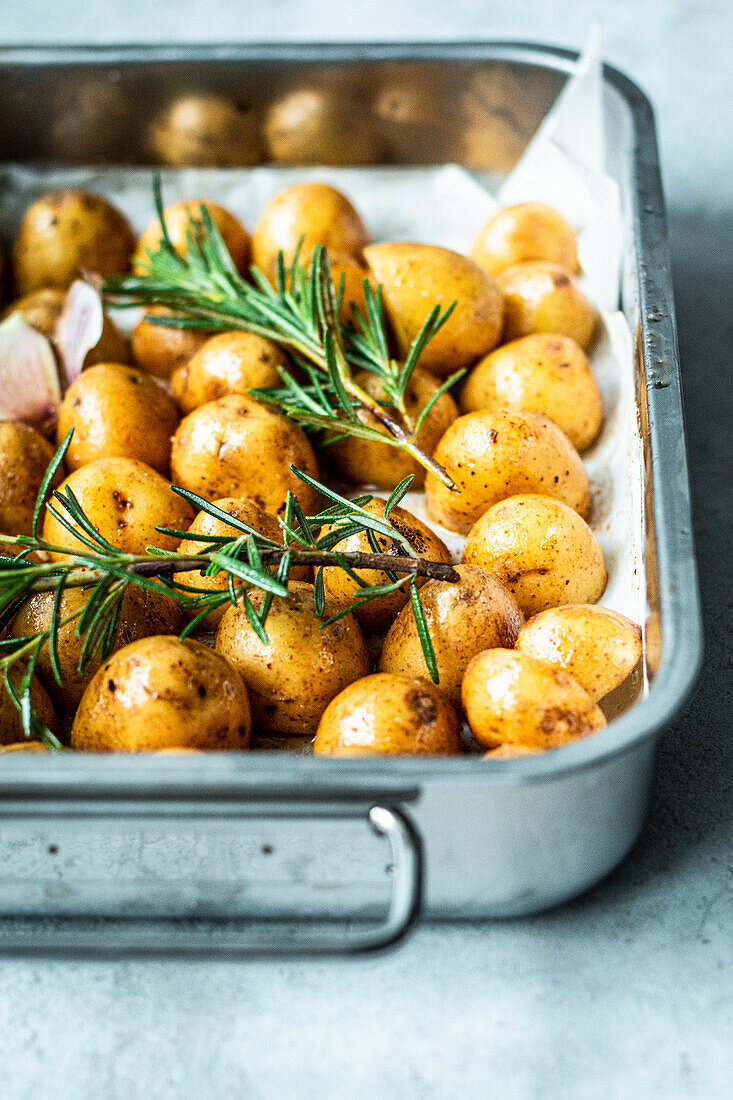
column 463, row 620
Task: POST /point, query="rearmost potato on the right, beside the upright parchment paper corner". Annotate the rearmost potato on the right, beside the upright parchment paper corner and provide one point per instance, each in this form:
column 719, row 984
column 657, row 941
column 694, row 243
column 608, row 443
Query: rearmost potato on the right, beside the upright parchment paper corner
column 523, row 233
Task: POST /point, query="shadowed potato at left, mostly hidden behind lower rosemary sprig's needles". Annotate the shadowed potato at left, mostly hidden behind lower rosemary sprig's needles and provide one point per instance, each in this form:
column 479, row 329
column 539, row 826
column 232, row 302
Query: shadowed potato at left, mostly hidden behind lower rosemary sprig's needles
column 144, row 613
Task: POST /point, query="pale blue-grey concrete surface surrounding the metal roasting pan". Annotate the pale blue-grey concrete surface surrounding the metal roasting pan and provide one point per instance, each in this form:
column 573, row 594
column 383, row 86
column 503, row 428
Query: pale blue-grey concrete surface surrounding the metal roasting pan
column 627, row 993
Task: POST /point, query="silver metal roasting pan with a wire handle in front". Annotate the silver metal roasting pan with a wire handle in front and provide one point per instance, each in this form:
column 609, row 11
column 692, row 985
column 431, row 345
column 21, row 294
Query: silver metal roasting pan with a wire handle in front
column 276, row 854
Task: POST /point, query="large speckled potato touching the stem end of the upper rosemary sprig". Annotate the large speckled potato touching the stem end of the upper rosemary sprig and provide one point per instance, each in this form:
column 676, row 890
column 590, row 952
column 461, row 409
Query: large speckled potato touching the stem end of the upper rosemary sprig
column 493, row 456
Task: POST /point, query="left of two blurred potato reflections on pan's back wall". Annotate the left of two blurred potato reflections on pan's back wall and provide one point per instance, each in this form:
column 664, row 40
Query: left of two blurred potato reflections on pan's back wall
column 203, row 131
